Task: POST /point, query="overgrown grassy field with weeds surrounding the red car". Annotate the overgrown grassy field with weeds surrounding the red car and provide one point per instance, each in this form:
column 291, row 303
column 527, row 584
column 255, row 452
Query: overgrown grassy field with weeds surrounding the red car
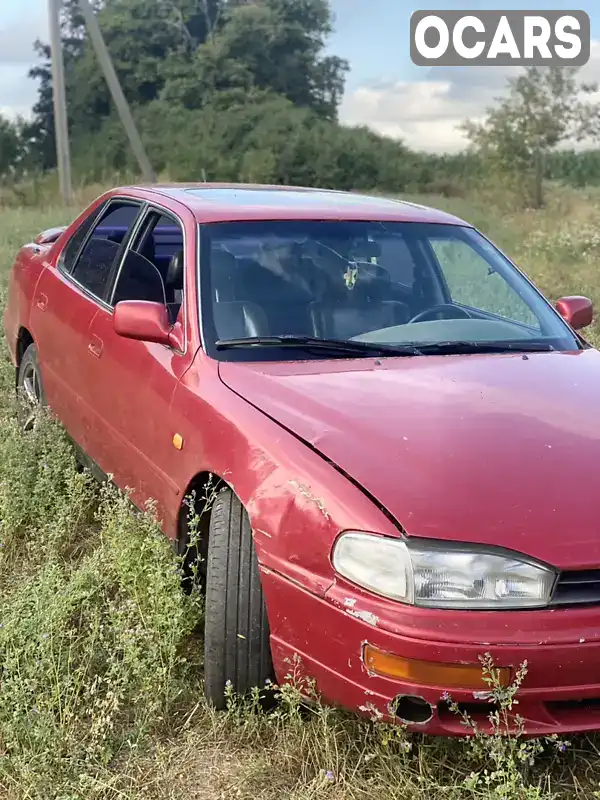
column 100, row 656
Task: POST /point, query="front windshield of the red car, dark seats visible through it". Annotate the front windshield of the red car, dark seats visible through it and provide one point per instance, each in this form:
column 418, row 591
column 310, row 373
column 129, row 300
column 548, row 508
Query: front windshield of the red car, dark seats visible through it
column 389, row 288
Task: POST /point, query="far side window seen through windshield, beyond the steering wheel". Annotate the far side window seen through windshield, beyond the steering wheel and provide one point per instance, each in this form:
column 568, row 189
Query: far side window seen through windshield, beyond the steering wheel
column 473, row 282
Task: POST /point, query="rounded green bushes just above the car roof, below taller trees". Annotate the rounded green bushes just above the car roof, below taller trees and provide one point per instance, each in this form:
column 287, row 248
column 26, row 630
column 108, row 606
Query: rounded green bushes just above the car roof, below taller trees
column 266, row 139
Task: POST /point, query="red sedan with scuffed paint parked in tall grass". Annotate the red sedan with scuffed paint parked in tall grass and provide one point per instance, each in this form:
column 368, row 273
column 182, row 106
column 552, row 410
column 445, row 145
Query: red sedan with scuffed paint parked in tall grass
column 403, row 432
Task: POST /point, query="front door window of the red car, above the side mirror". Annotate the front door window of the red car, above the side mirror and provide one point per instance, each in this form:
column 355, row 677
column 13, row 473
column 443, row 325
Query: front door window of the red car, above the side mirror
column 153, row 266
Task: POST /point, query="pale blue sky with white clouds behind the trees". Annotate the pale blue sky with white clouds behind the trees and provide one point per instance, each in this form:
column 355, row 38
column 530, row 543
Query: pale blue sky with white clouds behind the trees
column 384, row 90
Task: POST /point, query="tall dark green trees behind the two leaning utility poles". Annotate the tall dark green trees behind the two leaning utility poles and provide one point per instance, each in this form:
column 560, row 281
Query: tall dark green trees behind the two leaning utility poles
column 186, row 52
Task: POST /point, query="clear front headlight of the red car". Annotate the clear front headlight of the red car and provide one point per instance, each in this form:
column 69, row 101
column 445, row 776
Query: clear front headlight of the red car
column 442, row 575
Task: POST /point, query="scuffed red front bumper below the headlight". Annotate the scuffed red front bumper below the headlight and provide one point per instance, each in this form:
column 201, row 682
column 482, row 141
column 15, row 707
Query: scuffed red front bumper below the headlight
column 326, row 637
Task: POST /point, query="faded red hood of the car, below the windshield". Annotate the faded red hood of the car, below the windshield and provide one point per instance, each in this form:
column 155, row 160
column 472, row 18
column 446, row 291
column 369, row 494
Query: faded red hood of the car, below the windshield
column 497, row 449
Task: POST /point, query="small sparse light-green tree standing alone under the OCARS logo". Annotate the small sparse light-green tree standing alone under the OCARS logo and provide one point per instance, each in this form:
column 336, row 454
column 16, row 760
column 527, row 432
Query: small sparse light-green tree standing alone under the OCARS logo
column 542, row 109
